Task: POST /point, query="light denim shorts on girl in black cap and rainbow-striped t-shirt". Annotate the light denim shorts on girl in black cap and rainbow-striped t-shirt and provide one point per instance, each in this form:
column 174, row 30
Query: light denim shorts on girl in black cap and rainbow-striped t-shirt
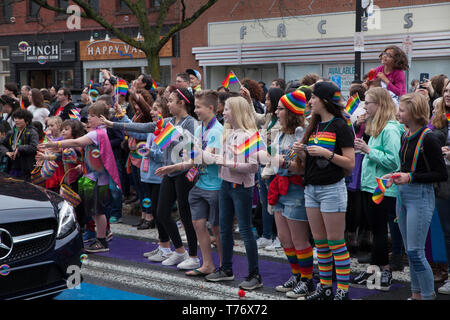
column 329, row 197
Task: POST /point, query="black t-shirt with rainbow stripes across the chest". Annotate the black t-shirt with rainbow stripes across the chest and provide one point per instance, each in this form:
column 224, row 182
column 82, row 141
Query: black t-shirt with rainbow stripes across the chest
column 332, row 135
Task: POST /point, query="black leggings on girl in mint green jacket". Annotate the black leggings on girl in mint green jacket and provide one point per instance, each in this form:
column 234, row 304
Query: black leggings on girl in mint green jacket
column 377, row 216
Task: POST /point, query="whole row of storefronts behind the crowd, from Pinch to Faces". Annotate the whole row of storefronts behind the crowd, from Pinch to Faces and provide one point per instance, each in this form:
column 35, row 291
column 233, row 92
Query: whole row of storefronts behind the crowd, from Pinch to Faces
column 260, row 39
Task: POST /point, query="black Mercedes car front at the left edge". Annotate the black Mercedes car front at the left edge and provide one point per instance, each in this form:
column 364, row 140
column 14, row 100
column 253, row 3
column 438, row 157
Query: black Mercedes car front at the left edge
column 40, row 241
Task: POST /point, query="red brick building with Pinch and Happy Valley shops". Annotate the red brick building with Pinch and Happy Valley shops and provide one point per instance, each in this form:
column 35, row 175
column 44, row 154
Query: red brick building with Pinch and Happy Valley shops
column 73, row 57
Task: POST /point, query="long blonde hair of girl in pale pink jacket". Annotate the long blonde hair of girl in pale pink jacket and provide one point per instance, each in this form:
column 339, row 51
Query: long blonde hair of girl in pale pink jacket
column 242, row 116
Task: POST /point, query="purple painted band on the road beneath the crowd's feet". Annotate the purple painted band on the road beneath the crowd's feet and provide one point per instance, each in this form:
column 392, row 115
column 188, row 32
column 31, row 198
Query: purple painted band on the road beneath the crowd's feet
column 273, row 273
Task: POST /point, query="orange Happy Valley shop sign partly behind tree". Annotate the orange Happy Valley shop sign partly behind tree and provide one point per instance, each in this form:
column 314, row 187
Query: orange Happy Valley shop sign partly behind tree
column 115, row 49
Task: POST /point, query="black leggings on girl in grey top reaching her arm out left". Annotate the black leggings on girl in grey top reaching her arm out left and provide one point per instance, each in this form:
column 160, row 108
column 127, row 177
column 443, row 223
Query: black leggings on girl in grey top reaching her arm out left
column 172, row 189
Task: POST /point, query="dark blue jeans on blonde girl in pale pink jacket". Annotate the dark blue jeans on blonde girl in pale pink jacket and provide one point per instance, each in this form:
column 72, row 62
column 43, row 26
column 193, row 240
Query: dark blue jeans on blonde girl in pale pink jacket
column 237, row 201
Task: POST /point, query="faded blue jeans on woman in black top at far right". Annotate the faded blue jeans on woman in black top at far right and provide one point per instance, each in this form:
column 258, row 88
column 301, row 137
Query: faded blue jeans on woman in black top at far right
column 415, row 211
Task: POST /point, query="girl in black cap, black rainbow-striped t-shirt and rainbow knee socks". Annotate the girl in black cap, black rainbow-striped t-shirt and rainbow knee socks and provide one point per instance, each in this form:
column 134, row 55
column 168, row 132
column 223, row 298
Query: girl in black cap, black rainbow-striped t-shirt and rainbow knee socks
column 327, row 148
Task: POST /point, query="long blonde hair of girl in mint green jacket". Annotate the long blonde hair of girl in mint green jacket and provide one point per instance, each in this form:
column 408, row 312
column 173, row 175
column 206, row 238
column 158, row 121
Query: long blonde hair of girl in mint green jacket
column 386, row 111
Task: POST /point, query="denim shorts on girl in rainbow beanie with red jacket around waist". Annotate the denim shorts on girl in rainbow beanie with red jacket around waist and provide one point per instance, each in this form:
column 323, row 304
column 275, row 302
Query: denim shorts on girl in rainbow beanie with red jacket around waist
column 292, row 205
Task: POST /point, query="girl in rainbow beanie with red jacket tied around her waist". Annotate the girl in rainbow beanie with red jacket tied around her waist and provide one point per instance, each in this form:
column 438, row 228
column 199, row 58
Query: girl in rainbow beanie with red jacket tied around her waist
column 286, row 195
